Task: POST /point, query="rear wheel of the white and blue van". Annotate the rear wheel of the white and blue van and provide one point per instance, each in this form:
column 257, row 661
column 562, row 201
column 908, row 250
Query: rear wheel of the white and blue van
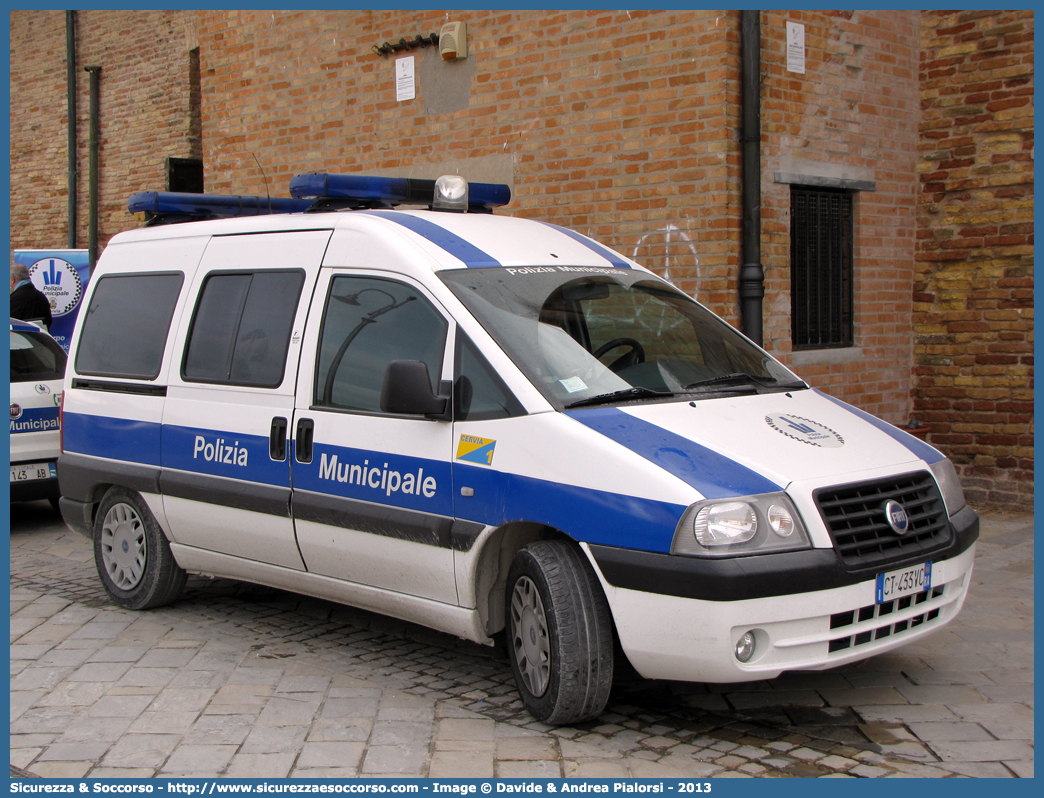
column 132, row 554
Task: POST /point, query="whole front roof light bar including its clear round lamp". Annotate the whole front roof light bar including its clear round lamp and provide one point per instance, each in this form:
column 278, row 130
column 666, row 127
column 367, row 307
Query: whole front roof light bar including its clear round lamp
column 335, row 192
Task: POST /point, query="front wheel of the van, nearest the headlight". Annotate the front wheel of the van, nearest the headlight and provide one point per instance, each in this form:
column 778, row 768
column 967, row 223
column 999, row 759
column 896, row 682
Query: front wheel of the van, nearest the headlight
column 560, row 633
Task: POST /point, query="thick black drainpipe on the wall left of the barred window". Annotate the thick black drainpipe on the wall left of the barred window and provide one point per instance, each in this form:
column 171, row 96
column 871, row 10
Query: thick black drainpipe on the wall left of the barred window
column 752, row 276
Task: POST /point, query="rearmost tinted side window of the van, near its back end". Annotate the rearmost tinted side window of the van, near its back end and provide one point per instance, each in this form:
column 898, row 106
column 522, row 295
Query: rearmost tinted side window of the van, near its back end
column 127, row 325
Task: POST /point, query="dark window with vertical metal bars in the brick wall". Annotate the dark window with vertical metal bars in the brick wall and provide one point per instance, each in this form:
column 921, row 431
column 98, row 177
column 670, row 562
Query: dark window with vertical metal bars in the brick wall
column 821, row 268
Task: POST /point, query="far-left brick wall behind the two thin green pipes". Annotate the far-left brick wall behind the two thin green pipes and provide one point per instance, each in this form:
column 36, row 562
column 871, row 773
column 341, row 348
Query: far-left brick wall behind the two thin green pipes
column 145, row 104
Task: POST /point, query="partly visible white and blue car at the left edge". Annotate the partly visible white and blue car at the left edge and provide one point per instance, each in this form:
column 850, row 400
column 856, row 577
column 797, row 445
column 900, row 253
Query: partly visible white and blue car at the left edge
column 37, row 370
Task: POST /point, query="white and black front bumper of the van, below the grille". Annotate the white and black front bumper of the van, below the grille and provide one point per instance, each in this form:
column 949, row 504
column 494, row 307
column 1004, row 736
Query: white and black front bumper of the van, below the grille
column 809, row 626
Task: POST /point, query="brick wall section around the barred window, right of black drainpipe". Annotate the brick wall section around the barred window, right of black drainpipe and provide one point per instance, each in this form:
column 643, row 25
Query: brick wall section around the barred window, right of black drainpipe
column 851, row 116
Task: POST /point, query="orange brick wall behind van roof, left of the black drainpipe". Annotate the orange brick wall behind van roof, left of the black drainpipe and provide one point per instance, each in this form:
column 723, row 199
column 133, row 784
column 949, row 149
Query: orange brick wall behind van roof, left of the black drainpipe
column 619, row 124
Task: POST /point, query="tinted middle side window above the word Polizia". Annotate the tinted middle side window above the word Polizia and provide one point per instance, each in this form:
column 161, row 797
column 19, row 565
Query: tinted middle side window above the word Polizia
column 242, row 328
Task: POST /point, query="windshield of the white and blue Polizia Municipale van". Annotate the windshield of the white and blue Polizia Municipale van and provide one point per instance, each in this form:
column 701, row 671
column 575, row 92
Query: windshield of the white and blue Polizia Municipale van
column 587, row 336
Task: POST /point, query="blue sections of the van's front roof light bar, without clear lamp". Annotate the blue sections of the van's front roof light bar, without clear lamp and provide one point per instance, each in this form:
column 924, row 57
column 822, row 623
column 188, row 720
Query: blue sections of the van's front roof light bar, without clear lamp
column 363, row 191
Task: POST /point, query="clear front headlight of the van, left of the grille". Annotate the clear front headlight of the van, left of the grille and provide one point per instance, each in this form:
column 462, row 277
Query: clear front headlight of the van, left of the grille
column 745, row 526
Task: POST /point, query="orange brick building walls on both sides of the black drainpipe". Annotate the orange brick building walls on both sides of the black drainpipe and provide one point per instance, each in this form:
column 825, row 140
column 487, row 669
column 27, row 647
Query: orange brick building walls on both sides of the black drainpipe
column 621, row 125
